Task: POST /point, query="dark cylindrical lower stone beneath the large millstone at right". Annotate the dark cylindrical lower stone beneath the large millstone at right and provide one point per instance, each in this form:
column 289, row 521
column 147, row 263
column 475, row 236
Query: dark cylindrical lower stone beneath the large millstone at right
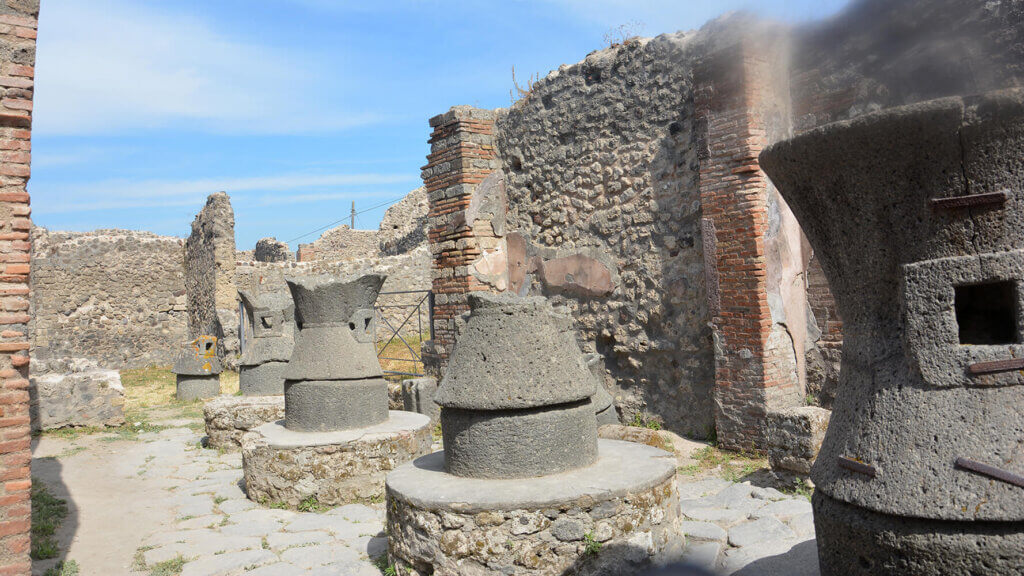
column 858, row 542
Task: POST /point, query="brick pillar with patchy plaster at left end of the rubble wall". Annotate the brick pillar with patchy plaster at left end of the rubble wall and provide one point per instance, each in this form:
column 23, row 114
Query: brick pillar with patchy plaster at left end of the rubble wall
column 462, row 154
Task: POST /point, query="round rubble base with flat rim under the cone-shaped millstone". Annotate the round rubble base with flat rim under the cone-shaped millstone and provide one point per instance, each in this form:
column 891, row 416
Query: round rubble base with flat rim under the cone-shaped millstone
column 618, row 516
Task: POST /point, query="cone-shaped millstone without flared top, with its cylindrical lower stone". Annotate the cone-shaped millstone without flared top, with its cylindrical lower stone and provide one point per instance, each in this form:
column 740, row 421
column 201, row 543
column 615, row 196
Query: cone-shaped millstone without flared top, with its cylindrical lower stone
column 517, row 394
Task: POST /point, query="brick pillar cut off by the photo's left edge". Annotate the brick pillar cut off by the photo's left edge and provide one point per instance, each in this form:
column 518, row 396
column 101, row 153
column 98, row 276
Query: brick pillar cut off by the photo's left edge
column 18, row 35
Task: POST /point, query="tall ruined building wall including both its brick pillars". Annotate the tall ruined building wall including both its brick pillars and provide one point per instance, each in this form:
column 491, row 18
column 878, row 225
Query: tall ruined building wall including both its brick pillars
column 627, row 187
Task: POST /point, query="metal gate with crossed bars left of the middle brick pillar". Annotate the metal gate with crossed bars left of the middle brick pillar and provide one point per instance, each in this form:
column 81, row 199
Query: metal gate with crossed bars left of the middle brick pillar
column 404, row 321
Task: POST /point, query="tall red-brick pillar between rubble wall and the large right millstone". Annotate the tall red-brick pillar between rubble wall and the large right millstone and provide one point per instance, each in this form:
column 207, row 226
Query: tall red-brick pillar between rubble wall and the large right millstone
column 732, row 89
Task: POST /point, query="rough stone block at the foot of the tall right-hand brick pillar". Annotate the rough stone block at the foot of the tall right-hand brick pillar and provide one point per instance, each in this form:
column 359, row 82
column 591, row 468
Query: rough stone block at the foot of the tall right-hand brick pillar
column 795, row 436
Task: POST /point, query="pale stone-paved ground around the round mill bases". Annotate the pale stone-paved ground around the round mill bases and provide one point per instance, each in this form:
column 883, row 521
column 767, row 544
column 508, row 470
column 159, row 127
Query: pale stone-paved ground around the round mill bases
column 216, row 530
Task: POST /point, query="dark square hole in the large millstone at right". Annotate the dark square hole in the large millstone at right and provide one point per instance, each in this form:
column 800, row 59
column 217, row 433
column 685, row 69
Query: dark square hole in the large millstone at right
column 987, row 314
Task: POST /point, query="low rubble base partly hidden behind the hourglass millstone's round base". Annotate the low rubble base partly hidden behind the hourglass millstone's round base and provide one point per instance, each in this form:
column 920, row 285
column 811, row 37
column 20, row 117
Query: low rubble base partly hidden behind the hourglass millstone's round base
column 230, row 418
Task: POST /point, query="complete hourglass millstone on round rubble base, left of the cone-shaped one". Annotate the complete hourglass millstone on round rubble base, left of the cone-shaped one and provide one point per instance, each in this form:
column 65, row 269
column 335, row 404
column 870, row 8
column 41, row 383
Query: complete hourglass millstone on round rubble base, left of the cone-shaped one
column 333, row 381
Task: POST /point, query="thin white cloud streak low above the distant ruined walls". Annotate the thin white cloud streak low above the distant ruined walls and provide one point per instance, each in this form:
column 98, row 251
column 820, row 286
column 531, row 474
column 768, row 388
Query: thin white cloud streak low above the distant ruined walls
column 282, row 189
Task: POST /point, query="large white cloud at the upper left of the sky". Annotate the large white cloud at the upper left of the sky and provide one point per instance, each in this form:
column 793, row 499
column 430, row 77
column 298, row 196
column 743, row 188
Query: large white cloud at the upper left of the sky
column 112, row 66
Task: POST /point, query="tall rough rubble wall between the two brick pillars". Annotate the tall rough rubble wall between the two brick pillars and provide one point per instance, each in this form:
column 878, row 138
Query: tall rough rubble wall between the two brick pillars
column 605, row 216
